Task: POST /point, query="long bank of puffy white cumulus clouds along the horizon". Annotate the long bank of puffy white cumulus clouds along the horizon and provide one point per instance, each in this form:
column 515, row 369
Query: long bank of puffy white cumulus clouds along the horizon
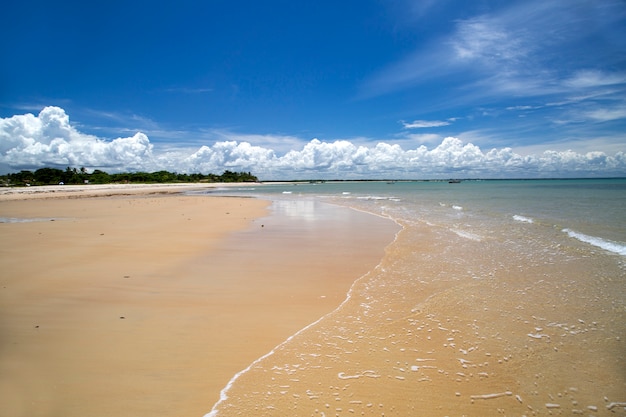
column 31, row 142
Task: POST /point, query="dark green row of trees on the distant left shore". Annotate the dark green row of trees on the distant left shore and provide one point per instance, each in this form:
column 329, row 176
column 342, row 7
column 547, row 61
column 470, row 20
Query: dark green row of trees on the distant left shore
column 50, row 176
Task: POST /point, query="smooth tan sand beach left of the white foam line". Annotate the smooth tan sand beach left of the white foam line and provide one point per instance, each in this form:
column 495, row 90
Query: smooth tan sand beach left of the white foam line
column 133, row 305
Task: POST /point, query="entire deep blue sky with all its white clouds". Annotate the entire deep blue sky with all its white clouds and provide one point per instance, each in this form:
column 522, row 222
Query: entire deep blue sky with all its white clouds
column 322, row 89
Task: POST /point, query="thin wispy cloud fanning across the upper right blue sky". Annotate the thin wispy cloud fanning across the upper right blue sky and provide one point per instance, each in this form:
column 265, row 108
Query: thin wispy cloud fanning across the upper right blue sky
column 512, row 51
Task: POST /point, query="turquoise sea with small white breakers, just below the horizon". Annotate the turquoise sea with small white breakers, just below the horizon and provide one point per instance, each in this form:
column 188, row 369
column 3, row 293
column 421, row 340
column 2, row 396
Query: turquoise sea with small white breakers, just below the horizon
column 591, row 211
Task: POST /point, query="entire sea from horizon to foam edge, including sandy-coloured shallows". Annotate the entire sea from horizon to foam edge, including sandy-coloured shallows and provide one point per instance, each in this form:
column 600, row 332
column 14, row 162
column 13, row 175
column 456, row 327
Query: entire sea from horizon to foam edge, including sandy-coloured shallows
column 497, row 297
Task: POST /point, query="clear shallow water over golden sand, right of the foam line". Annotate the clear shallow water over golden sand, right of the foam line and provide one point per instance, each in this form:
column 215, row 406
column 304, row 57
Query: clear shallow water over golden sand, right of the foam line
column 436, row 332
